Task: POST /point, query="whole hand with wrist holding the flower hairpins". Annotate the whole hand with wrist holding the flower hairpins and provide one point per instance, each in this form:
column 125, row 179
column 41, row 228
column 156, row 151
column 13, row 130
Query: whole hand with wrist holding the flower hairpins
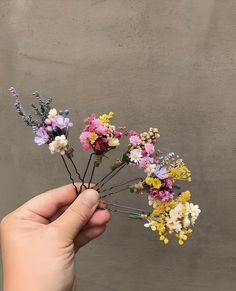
column 39, row 239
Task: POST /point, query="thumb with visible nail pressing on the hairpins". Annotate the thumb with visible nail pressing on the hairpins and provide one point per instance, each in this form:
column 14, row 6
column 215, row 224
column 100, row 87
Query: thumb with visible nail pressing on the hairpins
column 78, row 213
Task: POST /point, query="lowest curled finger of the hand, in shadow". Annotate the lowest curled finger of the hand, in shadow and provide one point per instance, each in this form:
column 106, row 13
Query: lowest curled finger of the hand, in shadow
column 87, row 235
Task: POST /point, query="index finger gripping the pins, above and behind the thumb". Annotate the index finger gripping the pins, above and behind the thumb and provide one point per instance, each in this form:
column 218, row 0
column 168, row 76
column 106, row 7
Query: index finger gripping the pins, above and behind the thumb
column 47, row 204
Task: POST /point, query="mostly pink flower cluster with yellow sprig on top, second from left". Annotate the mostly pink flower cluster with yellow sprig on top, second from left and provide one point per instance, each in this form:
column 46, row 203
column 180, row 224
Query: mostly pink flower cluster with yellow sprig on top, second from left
column 99, row 135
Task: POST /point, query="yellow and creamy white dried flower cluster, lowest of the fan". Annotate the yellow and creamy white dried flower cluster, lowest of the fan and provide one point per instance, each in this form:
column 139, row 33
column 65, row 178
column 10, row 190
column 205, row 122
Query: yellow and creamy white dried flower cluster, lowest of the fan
column 174, row 217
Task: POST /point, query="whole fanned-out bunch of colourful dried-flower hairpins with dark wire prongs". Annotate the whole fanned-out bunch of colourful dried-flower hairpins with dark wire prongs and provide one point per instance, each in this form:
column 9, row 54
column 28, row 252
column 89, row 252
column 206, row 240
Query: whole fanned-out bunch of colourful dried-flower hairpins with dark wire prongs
column 171, row 212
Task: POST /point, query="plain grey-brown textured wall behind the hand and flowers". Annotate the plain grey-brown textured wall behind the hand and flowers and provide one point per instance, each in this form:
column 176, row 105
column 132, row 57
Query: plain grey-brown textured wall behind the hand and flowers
column 170, row 64
